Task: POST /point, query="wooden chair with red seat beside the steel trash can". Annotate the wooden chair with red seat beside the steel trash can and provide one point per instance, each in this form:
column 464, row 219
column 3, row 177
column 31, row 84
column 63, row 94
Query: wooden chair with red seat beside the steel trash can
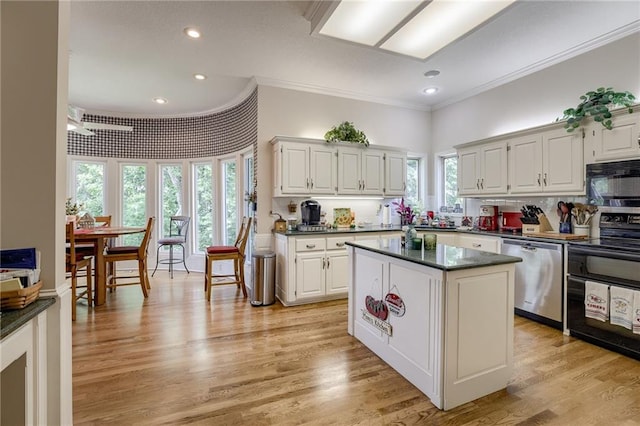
column 235, row 253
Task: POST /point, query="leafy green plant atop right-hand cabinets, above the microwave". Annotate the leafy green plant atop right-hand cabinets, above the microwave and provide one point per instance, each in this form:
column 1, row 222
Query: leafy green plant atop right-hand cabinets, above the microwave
column 597, row 104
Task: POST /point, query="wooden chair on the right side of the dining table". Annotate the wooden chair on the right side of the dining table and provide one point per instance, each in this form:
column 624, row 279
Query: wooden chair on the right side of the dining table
column 123, row 253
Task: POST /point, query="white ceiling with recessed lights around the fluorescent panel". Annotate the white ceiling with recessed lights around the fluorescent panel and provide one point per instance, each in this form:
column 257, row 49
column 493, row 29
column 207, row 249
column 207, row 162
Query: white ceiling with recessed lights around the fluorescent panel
column 125, row 53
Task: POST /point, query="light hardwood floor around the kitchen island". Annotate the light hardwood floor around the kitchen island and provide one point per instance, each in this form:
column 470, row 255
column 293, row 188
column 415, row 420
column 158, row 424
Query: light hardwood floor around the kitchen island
column 175, row 359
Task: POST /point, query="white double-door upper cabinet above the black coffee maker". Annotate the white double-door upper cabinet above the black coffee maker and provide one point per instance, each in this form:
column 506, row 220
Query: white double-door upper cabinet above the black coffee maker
column 304, row 169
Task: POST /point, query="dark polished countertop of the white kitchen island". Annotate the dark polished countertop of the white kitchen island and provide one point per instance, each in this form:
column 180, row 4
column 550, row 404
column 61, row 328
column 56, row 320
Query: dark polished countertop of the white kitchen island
column 446, row 258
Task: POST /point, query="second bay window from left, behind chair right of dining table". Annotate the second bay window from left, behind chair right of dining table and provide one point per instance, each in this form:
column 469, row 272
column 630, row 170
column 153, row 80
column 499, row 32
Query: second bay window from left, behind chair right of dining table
column 134, row 199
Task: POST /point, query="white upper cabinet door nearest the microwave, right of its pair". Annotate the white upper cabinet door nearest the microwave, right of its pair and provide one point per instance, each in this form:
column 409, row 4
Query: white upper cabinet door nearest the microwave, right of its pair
column 562, row 162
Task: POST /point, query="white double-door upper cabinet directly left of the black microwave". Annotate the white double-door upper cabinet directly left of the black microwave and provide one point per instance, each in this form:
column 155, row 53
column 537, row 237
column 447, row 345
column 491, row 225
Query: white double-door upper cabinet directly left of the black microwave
column 547, row 162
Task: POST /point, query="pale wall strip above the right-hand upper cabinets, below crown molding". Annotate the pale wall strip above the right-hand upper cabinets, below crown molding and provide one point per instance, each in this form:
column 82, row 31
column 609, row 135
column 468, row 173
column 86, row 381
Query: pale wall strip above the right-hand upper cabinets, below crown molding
column 539, row 98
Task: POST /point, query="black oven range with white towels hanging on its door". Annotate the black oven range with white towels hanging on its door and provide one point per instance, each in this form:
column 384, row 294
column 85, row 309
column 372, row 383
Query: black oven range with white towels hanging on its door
column 614, row 263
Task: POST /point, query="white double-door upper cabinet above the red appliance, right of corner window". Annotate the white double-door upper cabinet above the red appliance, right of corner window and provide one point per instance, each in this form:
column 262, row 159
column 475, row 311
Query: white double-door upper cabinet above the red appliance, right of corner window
column 482, row 169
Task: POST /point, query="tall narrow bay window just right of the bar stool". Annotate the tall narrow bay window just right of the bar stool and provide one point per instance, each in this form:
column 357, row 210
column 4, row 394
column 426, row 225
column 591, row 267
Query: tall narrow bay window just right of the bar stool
column 203, row 206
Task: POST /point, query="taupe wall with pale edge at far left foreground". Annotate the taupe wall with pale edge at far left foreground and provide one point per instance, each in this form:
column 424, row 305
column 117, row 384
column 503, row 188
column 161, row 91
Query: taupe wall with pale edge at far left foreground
column 33, row 168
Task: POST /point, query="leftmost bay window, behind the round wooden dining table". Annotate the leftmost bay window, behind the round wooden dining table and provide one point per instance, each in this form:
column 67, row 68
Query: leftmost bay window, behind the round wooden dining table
column 89, row 186
